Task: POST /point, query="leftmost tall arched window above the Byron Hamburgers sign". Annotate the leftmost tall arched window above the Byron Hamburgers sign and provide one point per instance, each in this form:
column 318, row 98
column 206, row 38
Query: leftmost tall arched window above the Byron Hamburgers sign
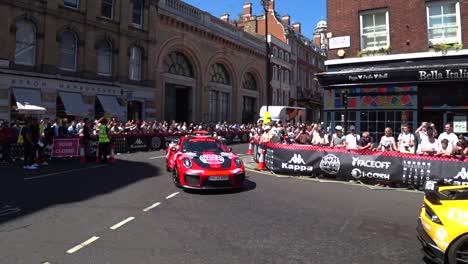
column 25, row 50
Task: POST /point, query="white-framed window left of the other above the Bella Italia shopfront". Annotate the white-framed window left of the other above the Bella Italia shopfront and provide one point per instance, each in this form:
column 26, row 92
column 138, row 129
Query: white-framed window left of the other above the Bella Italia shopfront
column 374, row 30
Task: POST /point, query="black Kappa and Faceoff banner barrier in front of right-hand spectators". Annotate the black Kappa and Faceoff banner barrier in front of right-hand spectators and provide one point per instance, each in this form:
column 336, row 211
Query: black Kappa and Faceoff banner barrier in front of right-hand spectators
column 365, row 166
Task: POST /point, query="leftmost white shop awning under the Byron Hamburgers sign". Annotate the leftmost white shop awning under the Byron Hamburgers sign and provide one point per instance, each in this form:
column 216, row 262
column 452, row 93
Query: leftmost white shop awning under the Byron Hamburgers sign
column 28, row 100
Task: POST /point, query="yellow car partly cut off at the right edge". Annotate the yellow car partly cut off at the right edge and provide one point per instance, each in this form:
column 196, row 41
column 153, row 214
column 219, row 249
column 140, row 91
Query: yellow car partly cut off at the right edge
column 443, row 223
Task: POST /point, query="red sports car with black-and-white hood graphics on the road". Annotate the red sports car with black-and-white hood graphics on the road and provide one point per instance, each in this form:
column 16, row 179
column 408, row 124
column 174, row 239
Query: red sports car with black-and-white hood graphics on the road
column 204, row 162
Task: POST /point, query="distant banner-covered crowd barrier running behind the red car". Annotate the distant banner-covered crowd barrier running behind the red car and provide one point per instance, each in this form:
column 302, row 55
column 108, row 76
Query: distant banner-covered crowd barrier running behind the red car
column 123, row 143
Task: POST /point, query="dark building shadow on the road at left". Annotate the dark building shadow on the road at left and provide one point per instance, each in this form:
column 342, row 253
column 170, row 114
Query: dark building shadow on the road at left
column 74, row 185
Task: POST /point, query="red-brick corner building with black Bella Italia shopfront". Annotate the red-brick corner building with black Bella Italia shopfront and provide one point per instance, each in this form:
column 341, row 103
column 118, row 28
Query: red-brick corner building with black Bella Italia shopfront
column 397, row 61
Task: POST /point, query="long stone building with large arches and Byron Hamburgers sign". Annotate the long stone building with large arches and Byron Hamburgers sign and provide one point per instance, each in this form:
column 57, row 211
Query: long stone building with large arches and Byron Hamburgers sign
column 136, row 59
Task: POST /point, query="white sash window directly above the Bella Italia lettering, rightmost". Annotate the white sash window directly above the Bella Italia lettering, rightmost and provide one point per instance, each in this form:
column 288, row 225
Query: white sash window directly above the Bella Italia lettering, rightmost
column 443, row 23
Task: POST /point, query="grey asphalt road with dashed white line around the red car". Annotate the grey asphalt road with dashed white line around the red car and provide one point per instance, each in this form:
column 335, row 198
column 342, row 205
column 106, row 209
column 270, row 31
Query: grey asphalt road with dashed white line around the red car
column 131, row 213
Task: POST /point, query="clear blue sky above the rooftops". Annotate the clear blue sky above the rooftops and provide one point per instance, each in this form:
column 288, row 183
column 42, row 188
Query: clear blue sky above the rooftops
column 307, row 12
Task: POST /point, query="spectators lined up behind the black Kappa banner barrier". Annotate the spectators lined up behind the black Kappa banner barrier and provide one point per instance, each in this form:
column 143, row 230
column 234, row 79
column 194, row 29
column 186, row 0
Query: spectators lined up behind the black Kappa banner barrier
column 425, row 140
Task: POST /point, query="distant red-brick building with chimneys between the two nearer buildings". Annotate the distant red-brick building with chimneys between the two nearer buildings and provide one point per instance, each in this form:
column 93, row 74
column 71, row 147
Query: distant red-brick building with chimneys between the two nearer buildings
column 294, row 60
